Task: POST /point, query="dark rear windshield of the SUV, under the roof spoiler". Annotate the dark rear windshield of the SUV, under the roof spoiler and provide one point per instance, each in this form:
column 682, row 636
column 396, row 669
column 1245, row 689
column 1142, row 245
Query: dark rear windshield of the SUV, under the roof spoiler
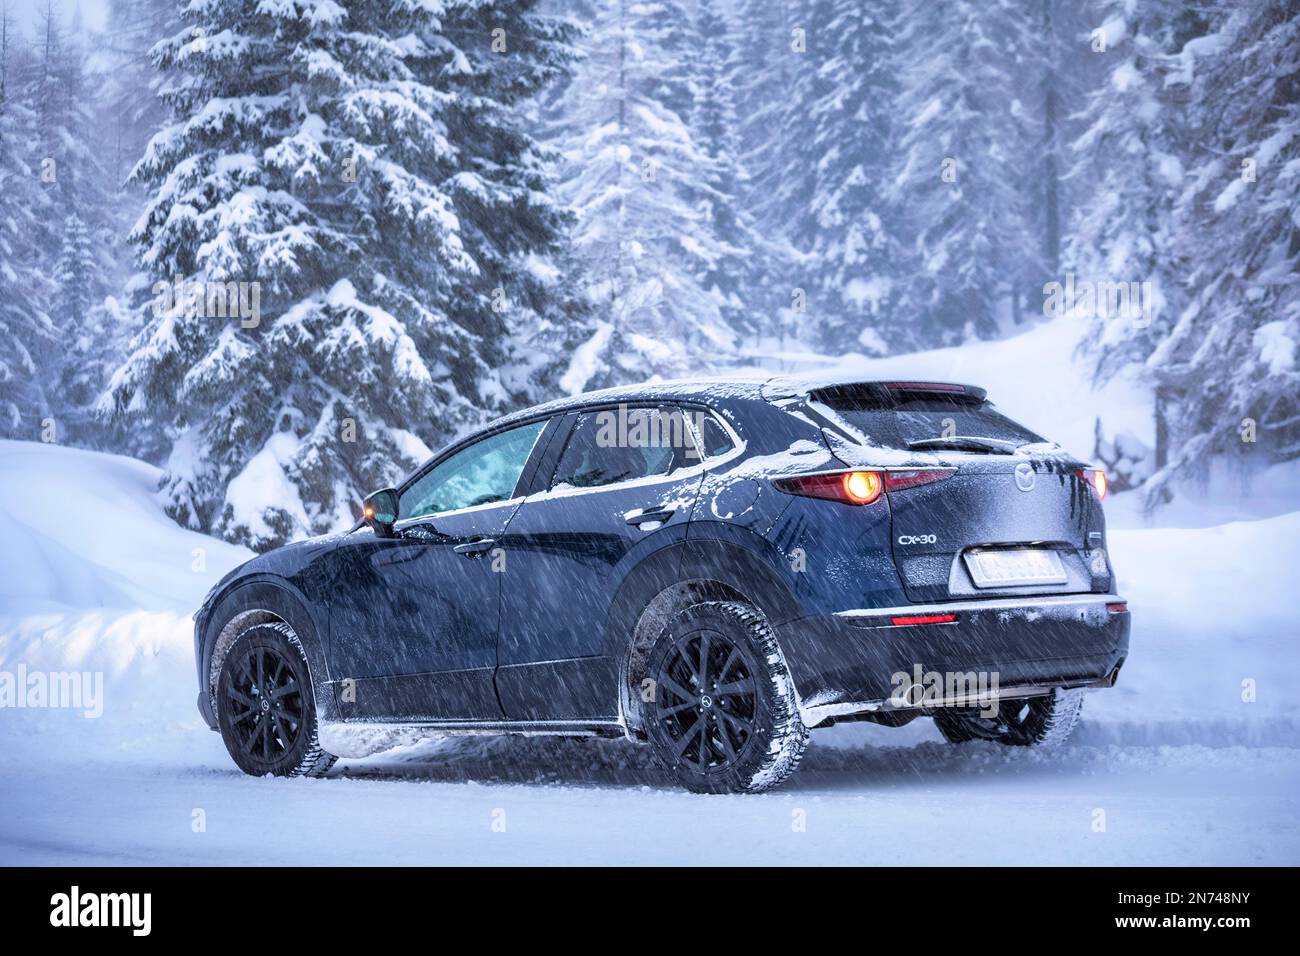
column 895, row 419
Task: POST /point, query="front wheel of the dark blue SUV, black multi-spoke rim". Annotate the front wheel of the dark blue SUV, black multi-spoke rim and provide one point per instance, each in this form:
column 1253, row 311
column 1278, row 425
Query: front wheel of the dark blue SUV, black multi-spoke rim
column 266, row 706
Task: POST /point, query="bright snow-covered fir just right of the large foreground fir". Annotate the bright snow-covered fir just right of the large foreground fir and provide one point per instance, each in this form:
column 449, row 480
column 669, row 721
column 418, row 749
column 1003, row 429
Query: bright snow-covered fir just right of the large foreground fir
column 631, row 165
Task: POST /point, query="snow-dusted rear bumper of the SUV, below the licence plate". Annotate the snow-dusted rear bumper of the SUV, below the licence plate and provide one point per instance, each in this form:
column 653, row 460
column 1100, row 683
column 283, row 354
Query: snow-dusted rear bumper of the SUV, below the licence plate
column 860, row 661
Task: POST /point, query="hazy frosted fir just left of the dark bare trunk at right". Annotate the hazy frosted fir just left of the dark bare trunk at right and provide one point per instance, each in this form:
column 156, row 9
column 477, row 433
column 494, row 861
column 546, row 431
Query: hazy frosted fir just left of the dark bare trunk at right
column 965, row 107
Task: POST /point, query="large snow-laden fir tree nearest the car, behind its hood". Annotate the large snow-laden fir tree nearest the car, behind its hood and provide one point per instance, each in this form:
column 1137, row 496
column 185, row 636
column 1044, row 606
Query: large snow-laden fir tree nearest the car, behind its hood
column 345, row 198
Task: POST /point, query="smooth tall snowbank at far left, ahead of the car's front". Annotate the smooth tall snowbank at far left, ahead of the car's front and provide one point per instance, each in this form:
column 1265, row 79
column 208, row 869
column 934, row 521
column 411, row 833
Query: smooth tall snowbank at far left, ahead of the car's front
column 96, row 579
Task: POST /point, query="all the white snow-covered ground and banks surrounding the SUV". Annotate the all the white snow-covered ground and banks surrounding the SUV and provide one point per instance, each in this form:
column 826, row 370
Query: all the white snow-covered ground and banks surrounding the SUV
column 1193, row 759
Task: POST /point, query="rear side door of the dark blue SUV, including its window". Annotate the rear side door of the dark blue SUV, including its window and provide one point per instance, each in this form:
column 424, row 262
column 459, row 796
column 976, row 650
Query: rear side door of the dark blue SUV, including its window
column 619, row 491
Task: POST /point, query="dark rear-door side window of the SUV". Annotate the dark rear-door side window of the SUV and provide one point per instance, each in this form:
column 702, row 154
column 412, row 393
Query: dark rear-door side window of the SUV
column 621, row 445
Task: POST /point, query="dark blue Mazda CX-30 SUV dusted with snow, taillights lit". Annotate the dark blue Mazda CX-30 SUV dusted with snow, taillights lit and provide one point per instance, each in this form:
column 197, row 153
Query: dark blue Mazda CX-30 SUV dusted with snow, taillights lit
column 713, row 568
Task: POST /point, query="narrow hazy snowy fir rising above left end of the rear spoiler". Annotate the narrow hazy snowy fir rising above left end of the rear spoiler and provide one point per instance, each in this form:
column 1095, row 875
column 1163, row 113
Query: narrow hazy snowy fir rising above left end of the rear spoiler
column 853, row 232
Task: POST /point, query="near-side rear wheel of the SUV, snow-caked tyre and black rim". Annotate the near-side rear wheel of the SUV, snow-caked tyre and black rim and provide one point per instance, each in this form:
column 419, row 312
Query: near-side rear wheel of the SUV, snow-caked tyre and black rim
column 725, row 717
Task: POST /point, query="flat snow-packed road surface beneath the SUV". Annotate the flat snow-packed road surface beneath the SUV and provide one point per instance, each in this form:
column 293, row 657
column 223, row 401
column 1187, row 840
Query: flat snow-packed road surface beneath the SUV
column 535, row 802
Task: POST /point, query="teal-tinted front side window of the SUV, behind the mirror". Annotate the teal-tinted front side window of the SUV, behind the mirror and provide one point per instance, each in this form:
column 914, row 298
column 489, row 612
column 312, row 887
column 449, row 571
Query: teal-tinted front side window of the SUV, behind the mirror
column 482, row 474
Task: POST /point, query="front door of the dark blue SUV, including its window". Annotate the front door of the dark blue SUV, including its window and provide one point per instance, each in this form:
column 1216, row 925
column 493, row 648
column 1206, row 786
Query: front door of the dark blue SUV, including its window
column 415, row 618
